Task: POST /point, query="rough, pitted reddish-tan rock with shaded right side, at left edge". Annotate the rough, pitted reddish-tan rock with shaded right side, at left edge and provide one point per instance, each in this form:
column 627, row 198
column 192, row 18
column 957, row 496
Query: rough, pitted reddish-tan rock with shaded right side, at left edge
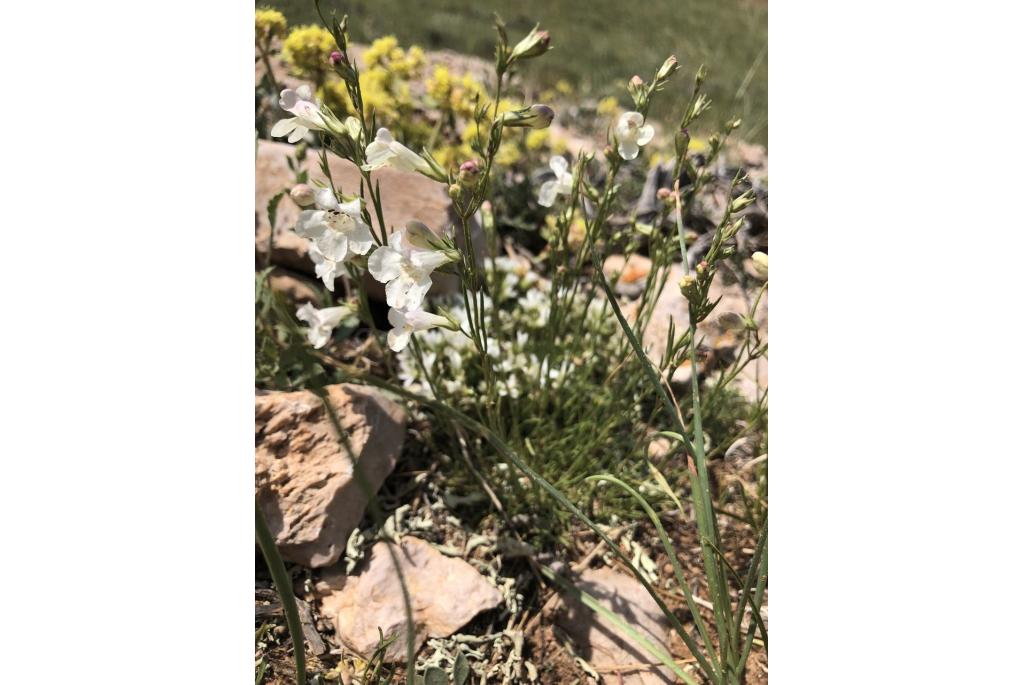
column 306, row 483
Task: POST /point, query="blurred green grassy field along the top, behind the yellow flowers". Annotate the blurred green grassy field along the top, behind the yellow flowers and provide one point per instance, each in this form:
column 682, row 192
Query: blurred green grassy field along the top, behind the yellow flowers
column 599, row 45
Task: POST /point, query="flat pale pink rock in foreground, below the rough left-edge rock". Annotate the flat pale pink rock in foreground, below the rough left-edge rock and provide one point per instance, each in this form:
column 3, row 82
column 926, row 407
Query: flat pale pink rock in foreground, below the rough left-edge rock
column 446, row 594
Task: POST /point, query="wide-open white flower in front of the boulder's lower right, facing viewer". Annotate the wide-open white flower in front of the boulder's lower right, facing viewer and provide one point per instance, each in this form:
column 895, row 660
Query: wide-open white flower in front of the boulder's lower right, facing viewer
column 405, row 268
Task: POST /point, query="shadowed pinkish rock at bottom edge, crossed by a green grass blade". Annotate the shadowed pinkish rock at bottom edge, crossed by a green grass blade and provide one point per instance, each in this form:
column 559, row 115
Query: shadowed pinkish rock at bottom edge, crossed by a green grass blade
column 604, row 645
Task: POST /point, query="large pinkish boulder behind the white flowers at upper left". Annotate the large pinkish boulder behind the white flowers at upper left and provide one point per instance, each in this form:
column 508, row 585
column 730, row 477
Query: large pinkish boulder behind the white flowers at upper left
column 406, row 197
